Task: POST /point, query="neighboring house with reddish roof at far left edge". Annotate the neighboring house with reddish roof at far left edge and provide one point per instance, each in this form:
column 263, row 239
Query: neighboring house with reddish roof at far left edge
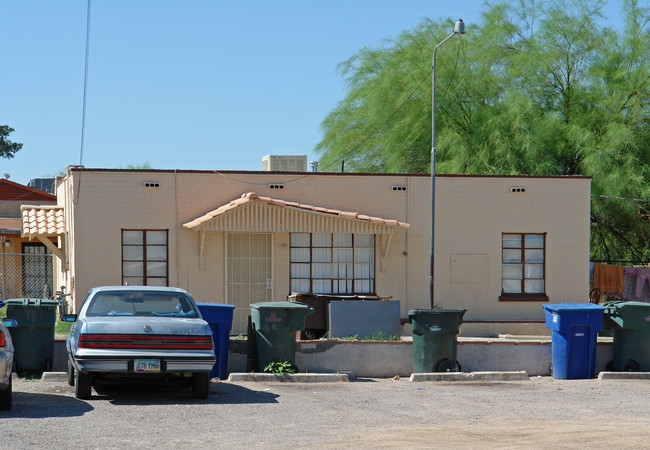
column 26, row 268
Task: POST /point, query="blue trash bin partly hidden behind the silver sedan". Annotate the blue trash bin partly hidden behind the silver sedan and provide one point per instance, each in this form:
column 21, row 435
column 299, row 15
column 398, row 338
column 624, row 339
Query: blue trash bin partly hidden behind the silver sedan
column 219, row 317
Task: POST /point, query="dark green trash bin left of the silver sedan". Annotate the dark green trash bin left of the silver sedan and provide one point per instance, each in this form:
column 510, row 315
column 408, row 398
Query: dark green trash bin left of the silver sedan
column 33, row 338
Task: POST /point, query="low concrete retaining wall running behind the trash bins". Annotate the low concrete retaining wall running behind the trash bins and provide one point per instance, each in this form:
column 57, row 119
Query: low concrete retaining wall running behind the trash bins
column 387, row 359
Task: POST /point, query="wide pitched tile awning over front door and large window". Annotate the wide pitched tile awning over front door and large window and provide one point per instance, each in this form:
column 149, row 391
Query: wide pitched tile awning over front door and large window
column 253, row 213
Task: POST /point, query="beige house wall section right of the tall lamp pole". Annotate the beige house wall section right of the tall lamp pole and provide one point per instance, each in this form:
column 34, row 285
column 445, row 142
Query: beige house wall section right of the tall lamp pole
column 472, row 215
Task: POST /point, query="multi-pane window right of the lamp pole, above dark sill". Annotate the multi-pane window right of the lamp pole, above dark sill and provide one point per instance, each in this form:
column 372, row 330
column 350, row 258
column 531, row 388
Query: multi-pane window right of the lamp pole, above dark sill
column 522, row 268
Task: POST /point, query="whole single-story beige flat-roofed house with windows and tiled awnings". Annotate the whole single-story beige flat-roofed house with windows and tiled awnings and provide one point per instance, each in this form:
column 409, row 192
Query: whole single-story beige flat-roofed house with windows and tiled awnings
column 505, row 245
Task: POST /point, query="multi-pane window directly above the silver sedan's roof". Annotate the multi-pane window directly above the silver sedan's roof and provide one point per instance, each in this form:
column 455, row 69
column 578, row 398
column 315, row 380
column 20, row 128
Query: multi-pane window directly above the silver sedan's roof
column 144, row 257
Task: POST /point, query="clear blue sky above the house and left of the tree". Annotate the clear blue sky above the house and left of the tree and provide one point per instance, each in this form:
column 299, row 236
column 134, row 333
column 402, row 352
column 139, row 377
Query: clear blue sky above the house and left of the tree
column 193, row 84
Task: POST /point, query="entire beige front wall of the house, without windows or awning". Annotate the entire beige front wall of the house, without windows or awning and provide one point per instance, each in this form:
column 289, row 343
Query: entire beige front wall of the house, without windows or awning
column 471, row 214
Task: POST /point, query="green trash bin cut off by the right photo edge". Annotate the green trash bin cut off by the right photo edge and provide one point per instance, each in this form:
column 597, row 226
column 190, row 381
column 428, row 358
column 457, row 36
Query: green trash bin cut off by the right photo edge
column 630, row 324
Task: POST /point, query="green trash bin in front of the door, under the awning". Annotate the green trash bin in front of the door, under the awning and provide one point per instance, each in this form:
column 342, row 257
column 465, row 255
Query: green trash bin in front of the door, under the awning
column 275, row 325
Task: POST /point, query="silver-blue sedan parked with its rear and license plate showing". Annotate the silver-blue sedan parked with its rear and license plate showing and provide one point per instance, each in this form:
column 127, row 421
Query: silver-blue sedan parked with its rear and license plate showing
column 139, row 332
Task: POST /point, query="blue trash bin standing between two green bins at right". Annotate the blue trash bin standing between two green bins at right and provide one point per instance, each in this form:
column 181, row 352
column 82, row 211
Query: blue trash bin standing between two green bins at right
column 575, row 329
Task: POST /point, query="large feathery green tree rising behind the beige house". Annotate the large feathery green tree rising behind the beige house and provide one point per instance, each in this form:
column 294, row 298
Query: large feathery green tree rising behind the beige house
column 536, row 88
